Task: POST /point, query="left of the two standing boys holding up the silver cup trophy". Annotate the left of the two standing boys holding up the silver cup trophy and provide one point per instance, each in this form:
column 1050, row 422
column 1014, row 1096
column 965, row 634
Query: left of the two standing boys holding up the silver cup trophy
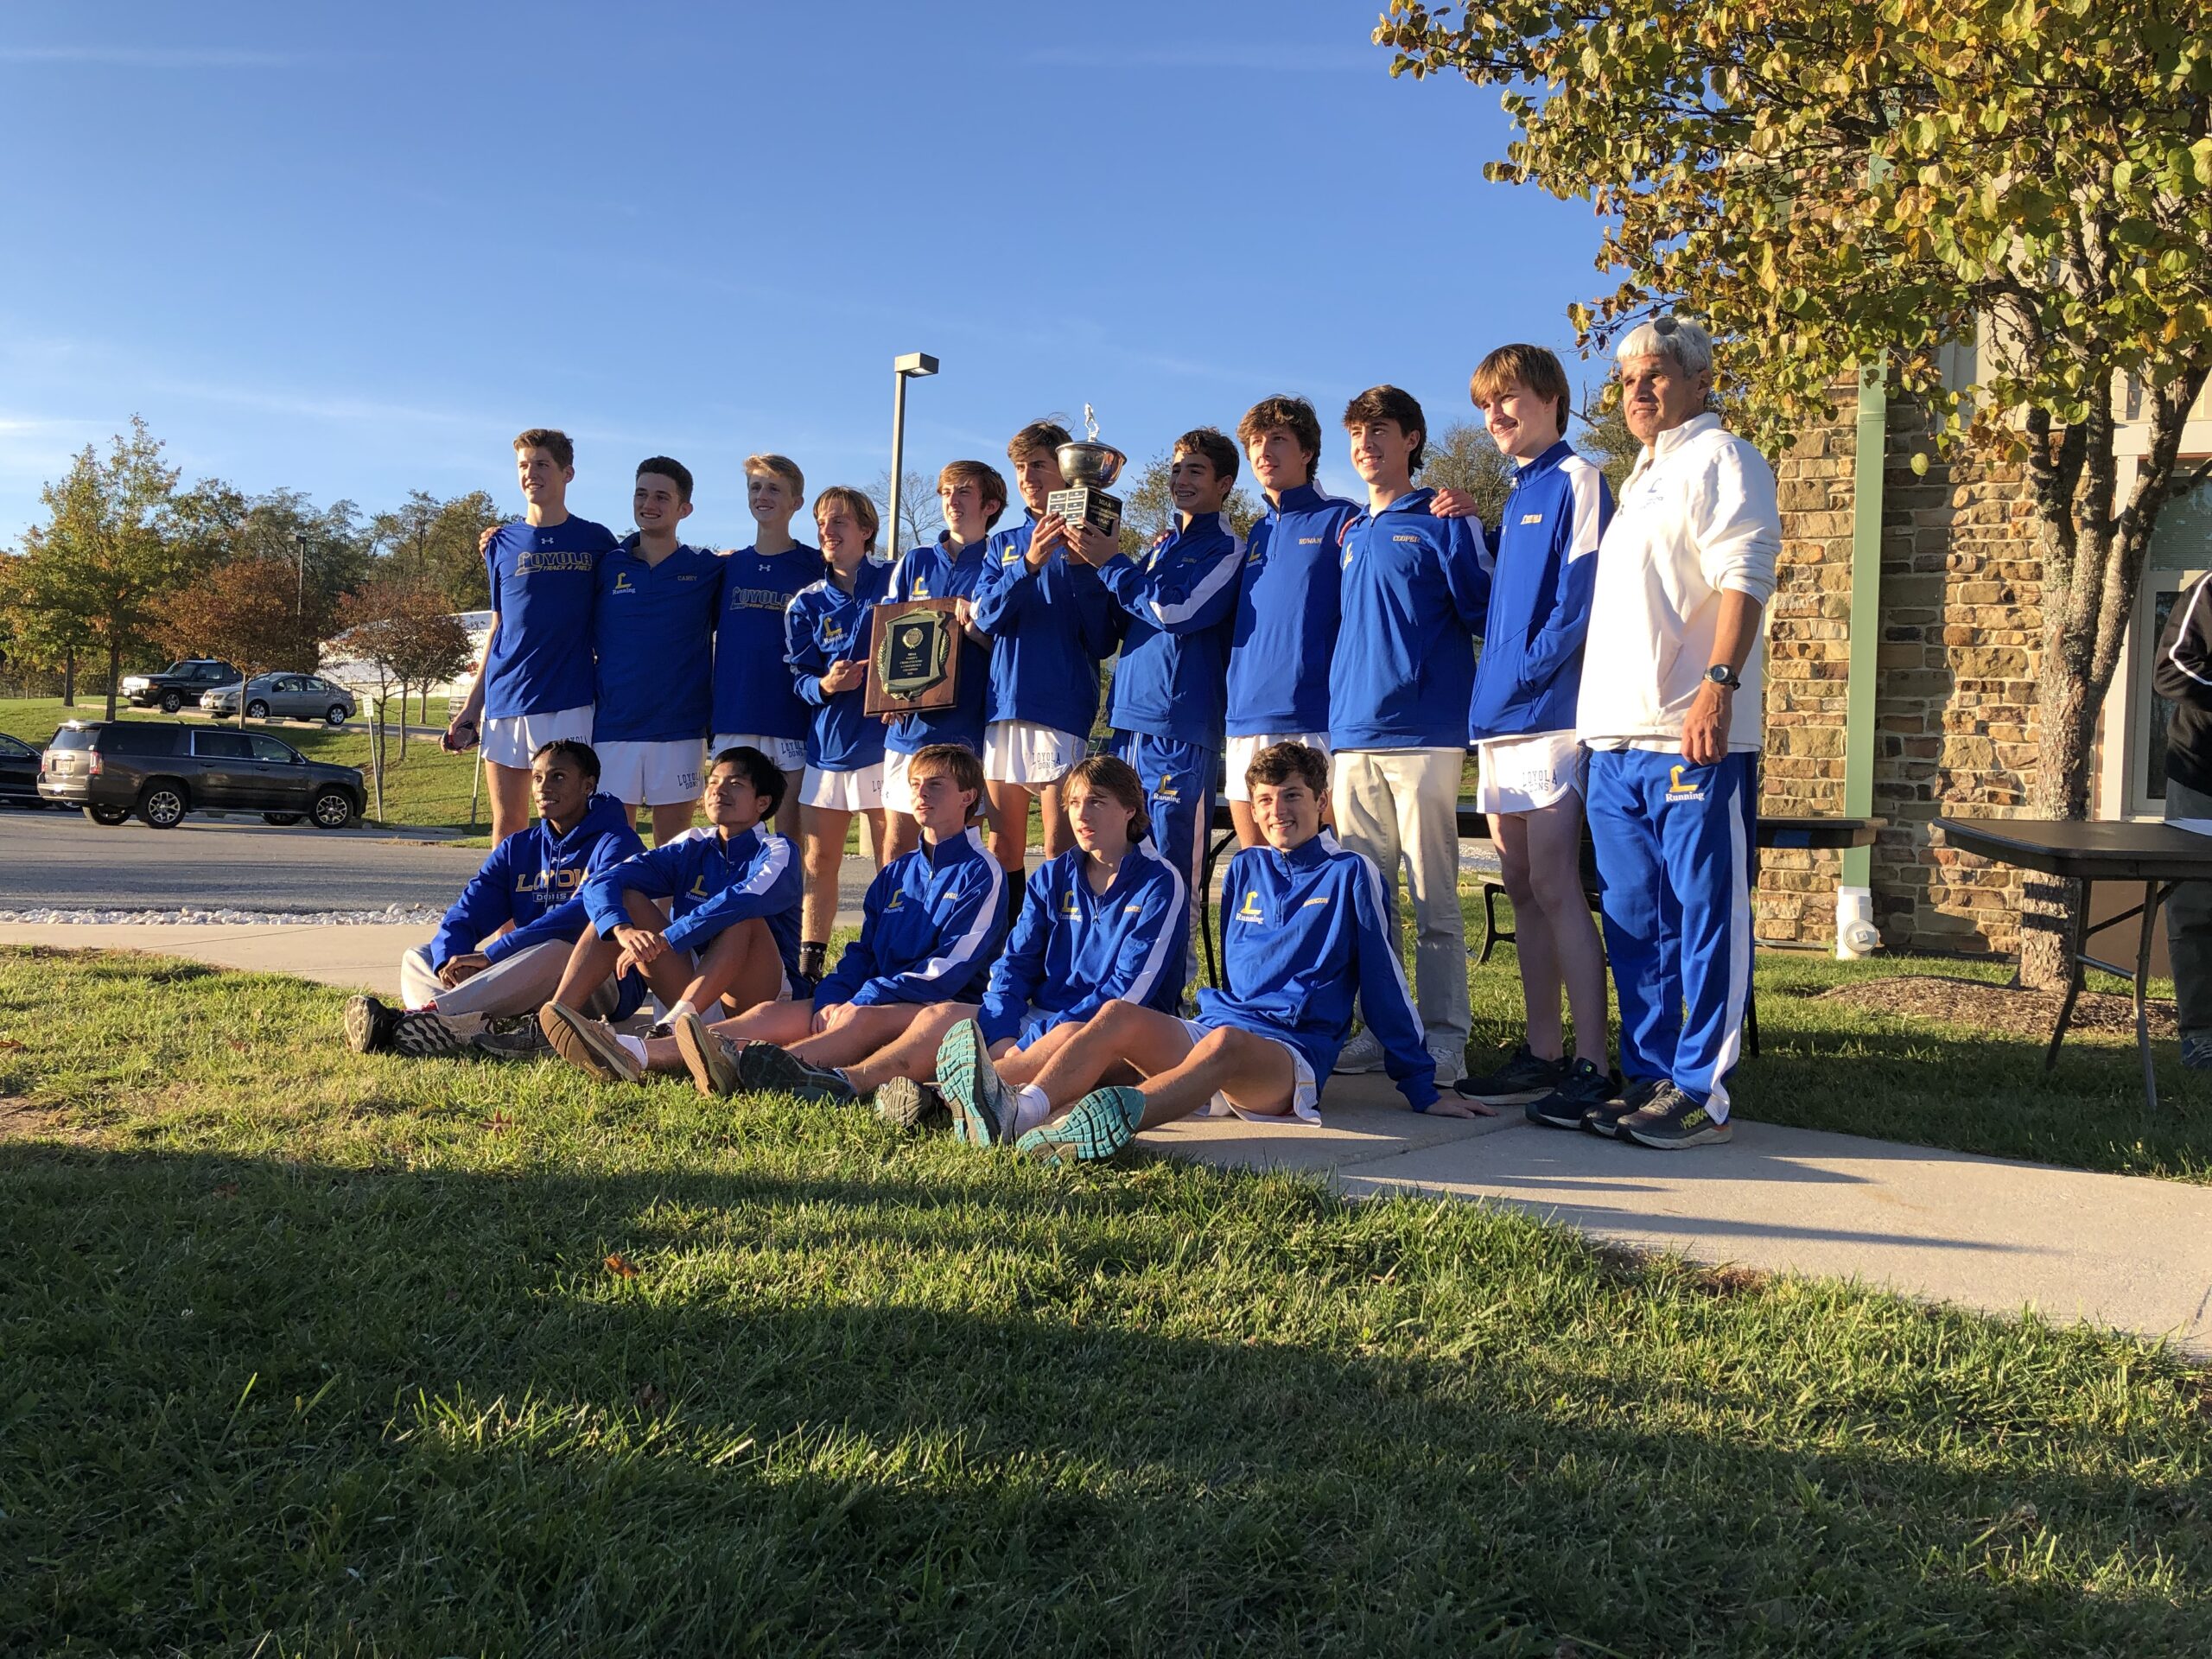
column 1050, row 625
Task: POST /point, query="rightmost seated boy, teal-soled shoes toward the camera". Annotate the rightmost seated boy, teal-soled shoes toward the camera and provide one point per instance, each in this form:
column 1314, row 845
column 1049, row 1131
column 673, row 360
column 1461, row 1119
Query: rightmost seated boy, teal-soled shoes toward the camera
column 1308, row 932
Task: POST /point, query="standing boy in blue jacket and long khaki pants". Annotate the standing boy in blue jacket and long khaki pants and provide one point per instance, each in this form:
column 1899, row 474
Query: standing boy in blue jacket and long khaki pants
column 1415, row 596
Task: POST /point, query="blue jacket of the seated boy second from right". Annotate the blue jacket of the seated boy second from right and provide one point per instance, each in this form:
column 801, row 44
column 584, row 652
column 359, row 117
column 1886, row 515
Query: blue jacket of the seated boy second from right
column 1076, row 950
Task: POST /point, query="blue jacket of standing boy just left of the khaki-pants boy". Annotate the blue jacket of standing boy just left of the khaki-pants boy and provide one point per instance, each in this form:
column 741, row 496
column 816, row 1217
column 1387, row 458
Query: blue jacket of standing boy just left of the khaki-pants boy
column 1288, row 612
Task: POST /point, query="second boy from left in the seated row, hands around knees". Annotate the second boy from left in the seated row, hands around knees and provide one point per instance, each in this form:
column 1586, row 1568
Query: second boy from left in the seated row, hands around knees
column 733, row 928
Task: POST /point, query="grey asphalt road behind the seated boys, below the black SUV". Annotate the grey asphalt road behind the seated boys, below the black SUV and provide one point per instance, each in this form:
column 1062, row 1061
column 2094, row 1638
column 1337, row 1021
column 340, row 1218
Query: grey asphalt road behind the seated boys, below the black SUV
column 70, row 862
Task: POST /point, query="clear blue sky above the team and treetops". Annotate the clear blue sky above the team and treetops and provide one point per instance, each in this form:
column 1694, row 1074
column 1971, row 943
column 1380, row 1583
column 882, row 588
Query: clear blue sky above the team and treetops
column 355, row 249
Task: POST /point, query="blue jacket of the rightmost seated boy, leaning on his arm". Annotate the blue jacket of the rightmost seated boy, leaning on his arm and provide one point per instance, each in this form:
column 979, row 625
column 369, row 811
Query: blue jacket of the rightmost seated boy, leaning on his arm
column 1308, row 930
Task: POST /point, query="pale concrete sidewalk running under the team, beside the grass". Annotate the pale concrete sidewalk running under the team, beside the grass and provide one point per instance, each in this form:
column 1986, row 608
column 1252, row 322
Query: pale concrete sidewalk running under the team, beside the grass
column 1943, row 1227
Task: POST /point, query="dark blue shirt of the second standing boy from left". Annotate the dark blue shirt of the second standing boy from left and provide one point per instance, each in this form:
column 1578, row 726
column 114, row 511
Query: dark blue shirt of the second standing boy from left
column 656, row 640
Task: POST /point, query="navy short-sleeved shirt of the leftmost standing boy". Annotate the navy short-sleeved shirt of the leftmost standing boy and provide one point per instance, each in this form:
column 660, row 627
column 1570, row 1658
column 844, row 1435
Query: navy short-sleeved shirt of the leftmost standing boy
column 541, row 583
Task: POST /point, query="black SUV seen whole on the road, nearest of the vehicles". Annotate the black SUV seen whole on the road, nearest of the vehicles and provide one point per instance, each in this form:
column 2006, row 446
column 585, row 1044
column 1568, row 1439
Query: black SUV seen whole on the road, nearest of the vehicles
column 160, row 773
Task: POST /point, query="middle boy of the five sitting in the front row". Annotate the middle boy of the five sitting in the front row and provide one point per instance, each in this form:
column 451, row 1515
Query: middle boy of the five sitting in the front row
column 930, row 928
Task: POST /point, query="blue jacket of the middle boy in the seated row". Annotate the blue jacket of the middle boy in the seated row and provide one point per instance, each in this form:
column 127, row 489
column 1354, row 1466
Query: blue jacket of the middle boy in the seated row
column 930, row 926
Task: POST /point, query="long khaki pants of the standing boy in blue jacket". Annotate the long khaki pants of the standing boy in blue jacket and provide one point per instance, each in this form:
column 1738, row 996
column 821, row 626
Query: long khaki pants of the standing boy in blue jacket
column 1406, row 806
